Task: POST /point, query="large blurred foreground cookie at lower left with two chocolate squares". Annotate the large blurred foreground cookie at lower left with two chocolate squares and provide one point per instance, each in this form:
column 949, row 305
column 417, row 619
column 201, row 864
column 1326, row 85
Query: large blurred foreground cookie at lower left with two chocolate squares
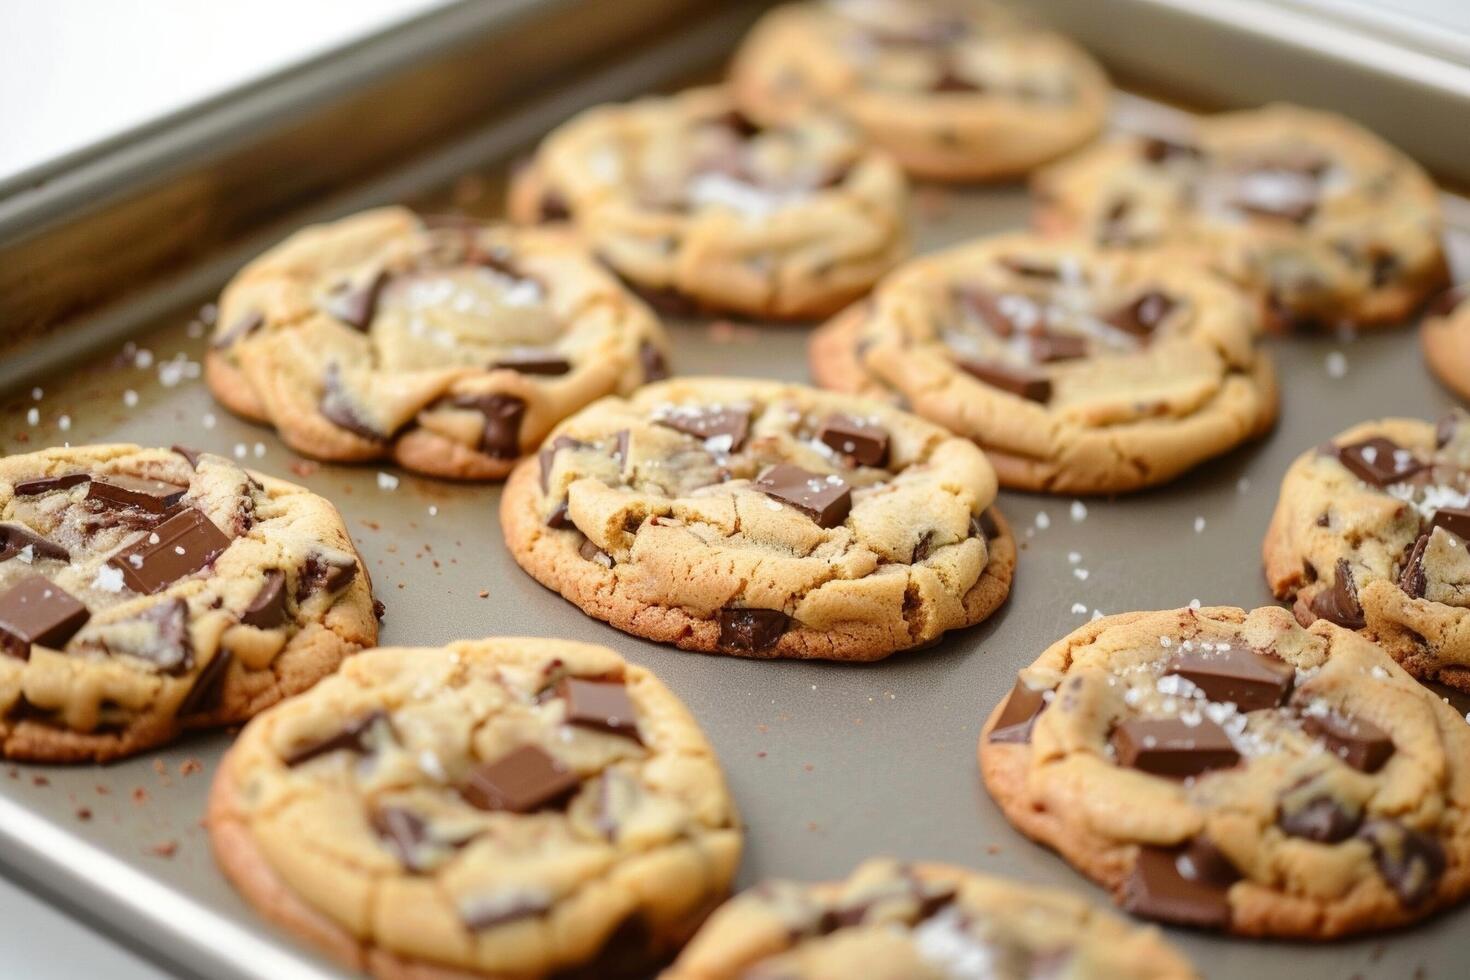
column 501, row 809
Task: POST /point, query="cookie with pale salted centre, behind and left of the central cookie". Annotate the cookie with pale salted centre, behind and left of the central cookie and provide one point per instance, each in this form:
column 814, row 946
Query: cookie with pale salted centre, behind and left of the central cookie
column 451, row 347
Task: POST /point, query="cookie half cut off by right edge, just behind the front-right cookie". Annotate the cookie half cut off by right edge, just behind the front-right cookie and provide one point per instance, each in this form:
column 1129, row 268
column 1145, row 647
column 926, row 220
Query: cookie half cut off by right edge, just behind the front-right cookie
column 1371, row 534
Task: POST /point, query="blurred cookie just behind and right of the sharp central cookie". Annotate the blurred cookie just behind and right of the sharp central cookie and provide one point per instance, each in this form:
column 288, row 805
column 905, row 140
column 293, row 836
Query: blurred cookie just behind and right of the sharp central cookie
column 1080, row 371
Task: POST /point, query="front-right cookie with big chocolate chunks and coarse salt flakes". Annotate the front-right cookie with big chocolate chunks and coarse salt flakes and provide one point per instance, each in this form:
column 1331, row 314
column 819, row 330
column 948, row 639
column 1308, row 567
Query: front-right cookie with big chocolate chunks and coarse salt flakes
column 1233, row 771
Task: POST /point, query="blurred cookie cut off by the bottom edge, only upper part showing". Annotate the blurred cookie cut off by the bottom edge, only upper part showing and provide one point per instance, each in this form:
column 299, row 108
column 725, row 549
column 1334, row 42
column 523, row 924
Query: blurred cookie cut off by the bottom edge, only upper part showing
column 924, row 922
